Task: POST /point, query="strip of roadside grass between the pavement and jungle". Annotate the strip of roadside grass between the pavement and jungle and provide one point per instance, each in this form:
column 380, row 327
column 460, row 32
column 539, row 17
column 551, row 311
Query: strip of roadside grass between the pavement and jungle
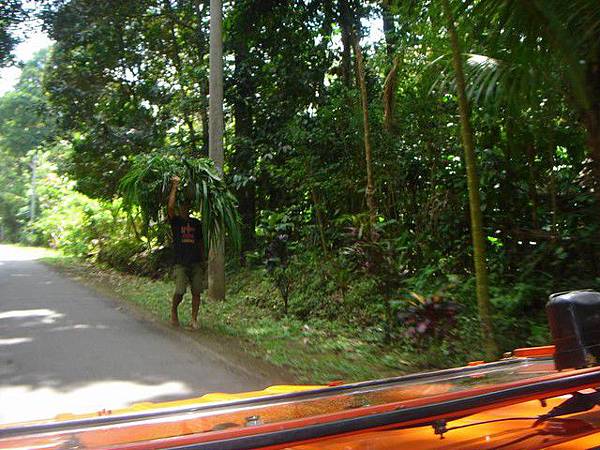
column 314, row 351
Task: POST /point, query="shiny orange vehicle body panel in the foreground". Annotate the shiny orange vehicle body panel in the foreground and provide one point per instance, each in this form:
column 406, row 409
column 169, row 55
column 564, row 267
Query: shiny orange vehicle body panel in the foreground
column 507, row 423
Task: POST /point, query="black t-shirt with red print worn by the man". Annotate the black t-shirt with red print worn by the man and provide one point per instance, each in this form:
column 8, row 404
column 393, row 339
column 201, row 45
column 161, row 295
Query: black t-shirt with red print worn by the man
column 188, row 246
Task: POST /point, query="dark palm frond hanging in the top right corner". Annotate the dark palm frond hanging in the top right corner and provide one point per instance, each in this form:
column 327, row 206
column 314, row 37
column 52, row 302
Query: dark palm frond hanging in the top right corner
column 562, row 34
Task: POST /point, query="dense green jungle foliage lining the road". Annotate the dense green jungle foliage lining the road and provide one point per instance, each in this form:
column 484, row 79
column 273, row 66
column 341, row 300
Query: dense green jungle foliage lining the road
column 129, row 78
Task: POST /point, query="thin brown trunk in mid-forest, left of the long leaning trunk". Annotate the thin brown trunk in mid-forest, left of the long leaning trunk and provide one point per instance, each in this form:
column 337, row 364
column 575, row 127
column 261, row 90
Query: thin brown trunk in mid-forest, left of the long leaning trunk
column 360, row 76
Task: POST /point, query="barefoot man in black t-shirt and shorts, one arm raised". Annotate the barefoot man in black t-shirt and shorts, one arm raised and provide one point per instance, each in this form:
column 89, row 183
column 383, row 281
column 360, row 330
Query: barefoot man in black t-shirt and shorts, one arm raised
column 189, row 269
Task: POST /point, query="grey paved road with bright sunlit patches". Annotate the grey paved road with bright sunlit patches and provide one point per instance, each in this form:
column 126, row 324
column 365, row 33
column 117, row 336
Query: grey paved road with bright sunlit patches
column 63, row 348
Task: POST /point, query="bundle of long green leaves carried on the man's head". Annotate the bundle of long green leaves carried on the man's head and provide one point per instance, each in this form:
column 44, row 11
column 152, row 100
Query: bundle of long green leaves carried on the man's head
column 145, row 191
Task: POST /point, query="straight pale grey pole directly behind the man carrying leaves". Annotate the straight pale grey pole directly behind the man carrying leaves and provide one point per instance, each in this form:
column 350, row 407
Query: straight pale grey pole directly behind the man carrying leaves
column 216, row 258
